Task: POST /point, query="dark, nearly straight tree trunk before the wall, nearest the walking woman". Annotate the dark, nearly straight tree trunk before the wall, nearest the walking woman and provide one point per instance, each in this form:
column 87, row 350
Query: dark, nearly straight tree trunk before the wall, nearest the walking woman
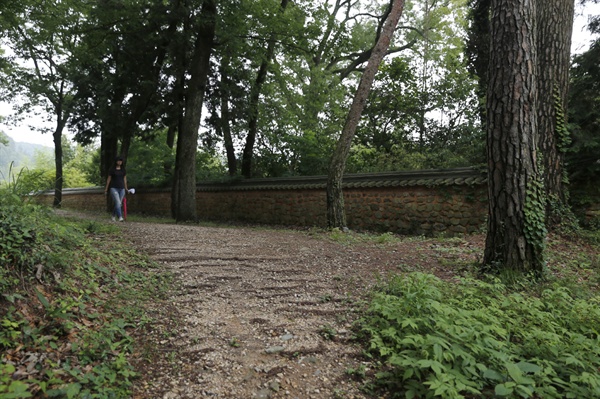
column 184, row 186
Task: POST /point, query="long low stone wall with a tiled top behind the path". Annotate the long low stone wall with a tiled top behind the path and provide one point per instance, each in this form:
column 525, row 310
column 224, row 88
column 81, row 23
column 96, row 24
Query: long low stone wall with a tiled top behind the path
column 423, row 202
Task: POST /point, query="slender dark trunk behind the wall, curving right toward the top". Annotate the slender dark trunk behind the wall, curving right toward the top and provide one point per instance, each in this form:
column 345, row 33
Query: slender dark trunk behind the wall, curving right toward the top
column 254, row 103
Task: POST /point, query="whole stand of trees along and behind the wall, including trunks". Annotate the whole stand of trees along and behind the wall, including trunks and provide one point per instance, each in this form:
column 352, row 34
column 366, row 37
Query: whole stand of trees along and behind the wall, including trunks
column 191, row 89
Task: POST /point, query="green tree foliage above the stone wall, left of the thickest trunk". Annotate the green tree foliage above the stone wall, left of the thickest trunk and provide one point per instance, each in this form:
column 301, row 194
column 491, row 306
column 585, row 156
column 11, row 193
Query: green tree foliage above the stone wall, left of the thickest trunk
column 423, row 101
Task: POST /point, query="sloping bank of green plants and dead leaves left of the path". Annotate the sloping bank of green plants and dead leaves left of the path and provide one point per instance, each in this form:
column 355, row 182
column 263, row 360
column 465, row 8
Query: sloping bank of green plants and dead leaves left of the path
column 71, row 297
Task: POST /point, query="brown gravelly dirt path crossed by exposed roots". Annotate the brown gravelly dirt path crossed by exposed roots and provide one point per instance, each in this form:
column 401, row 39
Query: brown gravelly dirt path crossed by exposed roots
column 260, row 313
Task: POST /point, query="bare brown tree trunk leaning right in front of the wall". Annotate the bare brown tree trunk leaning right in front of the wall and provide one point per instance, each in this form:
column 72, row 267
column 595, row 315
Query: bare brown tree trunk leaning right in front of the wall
column 336, row 216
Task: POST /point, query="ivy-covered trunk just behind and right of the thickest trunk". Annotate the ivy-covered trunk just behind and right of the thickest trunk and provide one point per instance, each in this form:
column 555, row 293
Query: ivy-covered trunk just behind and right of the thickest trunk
column 555, row 26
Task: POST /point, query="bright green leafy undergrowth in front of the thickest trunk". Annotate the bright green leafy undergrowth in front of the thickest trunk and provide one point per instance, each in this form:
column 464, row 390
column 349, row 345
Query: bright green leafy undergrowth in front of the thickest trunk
column 478, row 339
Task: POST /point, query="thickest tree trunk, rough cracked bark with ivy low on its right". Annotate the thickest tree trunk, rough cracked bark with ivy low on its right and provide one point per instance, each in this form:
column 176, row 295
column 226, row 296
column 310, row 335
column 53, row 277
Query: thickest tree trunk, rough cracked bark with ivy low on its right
column 516, row 230
